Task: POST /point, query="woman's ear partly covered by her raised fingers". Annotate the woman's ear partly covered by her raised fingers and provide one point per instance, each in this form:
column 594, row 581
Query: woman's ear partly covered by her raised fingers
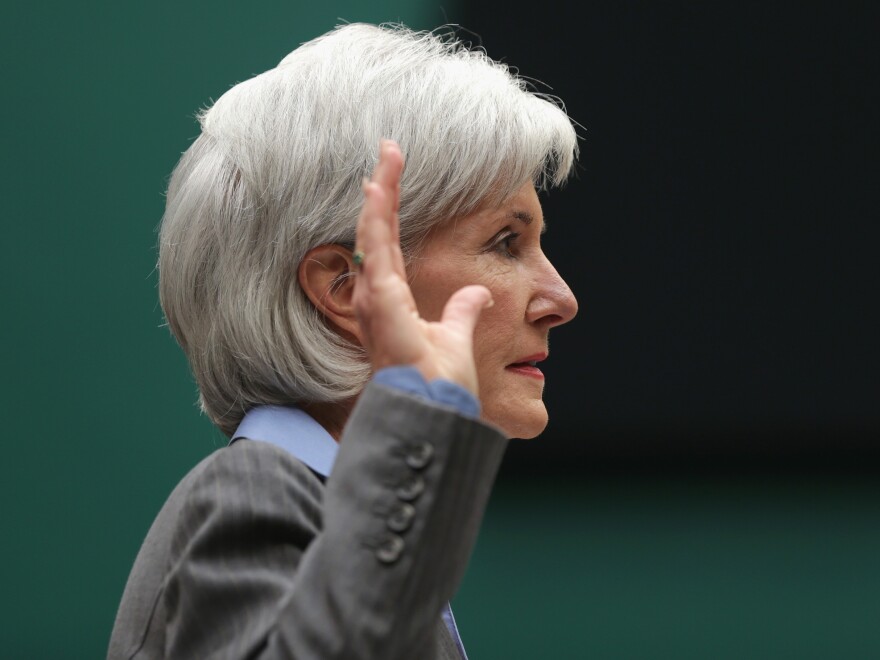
column 326, row 275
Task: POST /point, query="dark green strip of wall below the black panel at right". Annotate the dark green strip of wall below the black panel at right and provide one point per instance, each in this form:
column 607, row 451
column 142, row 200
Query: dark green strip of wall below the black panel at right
column 680, row 567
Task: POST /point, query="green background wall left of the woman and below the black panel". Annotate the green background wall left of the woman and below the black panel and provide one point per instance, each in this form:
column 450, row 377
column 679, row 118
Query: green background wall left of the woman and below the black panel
column 100, row 421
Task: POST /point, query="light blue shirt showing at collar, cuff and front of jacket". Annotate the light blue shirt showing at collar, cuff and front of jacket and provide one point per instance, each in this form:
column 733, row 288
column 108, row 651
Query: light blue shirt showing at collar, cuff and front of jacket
column 301, row 436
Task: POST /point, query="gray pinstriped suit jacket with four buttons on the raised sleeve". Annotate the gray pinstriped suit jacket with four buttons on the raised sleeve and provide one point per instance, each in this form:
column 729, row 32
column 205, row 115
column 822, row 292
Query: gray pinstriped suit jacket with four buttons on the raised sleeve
column 253, row 556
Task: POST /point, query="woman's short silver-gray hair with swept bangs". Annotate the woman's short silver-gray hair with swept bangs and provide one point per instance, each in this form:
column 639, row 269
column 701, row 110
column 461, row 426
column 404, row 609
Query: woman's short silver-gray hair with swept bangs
column 277, row 171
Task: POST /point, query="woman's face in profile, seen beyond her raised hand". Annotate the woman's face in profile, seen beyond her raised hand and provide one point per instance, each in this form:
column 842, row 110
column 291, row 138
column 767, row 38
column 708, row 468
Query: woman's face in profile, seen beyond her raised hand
column 500, row 248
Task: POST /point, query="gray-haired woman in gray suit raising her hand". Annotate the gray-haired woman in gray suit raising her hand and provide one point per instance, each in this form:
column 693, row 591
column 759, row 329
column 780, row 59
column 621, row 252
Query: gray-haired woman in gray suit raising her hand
column 389, row 329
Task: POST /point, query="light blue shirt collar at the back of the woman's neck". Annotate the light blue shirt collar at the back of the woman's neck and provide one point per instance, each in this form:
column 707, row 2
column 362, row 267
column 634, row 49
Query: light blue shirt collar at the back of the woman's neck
column 294, row 431
